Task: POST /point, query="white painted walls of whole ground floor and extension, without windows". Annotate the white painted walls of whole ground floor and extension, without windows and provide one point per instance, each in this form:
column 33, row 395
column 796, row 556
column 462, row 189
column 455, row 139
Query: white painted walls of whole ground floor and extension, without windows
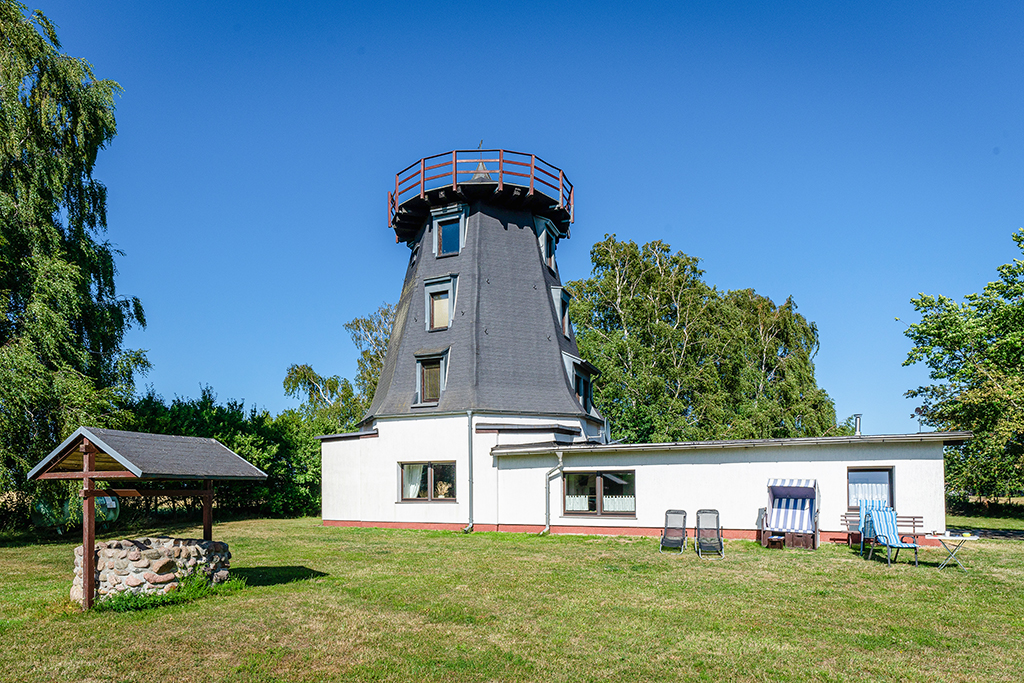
column 362, row 478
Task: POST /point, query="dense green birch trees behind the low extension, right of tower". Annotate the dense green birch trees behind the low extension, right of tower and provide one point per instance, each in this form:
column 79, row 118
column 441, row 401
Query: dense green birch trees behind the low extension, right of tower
column 680, row 361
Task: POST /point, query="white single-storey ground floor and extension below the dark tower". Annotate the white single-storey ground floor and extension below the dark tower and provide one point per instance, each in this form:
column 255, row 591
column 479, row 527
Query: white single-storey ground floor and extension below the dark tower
column 517, row 485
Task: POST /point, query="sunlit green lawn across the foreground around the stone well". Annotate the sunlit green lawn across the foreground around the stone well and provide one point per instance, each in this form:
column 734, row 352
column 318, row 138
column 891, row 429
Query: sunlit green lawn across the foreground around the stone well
column 353, row 605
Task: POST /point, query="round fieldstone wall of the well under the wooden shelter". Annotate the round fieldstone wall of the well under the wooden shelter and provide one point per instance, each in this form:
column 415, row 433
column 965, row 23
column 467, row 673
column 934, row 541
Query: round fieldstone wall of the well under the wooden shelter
column 152, row 565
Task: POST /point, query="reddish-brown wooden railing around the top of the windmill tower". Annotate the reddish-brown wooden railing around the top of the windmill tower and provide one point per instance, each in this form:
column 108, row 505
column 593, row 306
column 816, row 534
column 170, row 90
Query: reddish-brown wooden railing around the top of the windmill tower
column 504, row 167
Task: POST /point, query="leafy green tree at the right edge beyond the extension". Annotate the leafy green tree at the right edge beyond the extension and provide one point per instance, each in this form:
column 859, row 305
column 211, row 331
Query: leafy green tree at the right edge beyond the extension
column 975, row 351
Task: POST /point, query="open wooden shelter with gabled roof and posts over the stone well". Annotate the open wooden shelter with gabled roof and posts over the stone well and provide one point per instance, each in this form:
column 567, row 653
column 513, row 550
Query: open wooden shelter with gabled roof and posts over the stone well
column 135, row 458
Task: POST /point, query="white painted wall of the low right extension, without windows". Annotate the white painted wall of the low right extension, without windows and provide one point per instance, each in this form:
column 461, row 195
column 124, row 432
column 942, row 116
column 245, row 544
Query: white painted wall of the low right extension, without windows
column 731, row 481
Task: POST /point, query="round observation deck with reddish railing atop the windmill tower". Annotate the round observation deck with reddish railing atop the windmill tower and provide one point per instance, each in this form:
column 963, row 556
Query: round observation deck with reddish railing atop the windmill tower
column 513, row 180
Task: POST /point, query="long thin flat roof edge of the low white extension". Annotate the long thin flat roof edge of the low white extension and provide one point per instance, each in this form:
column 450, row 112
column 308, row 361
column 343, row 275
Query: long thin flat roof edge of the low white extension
column 948, row 439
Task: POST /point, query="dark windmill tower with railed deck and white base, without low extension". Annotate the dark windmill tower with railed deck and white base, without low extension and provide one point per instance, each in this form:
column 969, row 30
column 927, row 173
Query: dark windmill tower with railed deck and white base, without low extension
column 483, row 352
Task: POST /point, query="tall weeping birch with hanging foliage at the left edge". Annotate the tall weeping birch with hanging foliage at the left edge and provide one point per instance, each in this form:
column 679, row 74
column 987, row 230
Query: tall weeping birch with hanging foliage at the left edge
column 62, row 323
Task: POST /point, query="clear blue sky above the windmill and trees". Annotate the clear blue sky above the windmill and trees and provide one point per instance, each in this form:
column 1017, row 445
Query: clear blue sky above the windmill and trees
column 850, row 155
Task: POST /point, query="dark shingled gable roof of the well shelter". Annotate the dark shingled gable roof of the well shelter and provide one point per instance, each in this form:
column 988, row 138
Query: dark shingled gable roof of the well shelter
column 157, row 456
